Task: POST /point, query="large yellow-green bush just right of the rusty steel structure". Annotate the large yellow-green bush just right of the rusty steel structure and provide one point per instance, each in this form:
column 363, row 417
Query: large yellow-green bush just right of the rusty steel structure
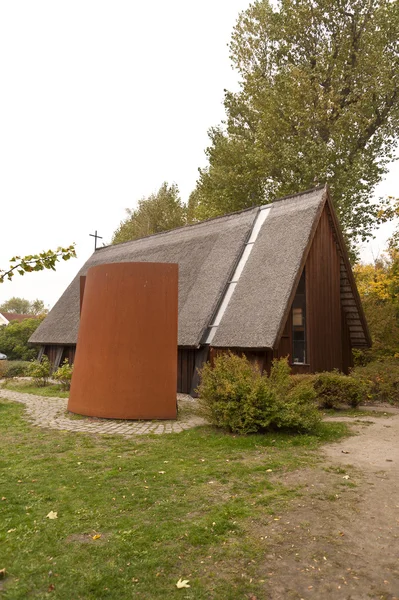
column 234, row 395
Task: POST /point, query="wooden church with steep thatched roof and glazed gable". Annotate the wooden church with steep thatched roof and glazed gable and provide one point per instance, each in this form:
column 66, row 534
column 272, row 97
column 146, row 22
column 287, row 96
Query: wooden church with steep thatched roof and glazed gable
column 267, row 282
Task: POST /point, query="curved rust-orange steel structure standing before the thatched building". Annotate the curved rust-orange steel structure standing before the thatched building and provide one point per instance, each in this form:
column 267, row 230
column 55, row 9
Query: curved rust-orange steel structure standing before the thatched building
column 126, row 356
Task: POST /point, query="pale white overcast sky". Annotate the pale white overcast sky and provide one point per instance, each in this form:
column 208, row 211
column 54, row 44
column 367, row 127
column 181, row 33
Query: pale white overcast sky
column 101, row 102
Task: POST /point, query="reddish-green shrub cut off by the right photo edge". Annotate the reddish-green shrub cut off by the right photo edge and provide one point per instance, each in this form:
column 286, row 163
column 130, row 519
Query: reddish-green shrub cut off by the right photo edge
column 381, row 379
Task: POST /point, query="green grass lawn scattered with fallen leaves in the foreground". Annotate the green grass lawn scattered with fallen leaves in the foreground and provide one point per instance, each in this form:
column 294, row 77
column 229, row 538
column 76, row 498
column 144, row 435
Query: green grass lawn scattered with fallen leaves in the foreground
column 166, row 507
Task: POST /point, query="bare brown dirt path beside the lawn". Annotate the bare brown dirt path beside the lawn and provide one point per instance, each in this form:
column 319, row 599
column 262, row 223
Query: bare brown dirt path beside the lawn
column 342, row 539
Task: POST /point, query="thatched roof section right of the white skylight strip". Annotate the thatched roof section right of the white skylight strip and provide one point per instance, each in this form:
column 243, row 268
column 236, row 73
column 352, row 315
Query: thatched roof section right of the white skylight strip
column 256, row 309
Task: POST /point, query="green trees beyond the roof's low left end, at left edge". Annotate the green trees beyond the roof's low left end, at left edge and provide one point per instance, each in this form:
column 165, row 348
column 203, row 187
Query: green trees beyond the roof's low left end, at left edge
column 14, row 339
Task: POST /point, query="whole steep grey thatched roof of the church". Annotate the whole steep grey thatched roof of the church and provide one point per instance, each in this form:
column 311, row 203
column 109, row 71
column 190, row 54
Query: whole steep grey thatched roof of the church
column 208, row 254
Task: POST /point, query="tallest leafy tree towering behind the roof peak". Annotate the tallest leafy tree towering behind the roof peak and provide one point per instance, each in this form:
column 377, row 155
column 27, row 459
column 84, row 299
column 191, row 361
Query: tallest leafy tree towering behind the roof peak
column 318, row 102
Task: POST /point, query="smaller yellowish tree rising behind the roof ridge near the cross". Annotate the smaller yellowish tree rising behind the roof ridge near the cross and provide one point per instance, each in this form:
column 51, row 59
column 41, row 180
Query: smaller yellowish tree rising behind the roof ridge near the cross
column 159, row 212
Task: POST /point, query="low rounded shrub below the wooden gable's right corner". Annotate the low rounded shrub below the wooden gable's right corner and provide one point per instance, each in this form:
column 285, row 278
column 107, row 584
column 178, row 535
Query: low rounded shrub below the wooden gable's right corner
column 335, row 390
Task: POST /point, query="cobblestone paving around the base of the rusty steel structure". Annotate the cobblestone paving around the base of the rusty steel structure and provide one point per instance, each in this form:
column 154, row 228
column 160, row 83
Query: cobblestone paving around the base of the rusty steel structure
column 52, row 413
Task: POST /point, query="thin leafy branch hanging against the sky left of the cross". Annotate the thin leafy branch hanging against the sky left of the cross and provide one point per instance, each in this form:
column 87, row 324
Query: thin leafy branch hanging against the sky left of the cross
column 37, row 262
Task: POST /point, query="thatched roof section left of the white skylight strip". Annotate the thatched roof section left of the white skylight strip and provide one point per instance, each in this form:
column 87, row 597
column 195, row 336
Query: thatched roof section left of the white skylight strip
column 206, row 254
